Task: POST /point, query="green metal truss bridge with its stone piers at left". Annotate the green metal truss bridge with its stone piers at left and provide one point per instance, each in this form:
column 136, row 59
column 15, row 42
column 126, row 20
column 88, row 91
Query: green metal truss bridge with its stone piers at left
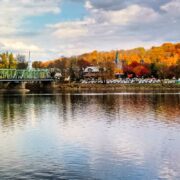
column 17, row 78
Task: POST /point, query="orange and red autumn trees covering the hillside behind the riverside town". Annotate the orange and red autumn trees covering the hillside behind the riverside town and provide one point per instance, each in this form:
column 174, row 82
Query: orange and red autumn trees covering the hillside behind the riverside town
column 160, row 62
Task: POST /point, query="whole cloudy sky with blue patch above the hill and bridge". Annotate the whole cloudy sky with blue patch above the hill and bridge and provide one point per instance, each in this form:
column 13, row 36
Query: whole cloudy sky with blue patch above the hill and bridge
column 55, row 28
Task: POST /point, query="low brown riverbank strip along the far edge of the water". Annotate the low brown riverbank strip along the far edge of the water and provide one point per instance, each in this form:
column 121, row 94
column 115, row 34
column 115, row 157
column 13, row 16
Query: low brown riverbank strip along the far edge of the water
column 78, row 87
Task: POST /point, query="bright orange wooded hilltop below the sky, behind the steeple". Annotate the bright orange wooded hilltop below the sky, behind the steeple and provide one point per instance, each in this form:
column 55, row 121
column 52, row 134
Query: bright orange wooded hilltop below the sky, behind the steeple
column 168, row 54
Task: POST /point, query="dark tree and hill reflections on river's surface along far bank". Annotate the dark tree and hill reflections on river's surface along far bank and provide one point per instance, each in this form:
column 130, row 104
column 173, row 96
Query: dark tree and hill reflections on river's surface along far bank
column 164, row 107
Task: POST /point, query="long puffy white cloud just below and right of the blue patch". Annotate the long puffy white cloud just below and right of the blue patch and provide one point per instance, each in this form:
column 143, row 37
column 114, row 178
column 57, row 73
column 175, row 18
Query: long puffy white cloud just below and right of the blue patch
column 101, row 22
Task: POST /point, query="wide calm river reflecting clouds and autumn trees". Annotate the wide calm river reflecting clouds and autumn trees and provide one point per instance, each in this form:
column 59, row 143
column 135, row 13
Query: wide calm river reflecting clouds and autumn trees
column 99, row 136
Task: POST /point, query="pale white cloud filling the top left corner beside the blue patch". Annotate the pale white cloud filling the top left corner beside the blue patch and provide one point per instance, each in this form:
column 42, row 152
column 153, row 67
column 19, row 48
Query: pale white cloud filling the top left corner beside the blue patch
column 12, row 13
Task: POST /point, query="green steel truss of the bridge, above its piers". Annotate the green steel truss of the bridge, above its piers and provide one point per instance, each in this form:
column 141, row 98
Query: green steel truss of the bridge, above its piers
column 25, row 74
